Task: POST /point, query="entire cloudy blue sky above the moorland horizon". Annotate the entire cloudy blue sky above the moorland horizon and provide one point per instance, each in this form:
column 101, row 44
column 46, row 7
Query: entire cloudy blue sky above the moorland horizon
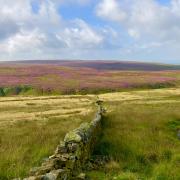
column 140, row 30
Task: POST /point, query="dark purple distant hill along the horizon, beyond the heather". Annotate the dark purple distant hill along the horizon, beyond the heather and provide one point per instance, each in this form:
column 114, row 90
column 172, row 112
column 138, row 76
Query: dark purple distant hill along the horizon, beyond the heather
column 104, row 65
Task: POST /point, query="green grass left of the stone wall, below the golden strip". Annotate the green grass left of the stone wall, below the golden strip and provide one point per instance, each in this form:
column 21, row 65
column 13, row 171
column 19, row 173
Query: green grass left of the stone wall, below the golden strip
column 25, row 144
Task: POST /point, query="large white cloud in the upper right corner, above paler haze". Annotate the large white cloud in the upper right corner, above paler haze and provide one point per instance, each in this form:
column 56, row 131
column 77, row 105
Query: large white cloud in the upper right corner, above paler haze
column 143, row 18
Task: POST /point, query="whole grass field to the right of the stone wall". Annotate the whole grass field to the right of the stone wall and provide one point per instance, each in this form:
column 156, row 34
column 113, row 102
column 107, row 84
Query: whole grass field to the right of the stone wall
column 140, row 136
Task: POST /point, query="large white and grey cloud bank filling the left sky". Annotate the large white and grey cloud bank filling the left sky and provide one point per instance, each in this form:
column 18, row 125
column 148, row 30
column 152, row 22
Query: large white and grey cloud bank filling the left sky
column 27, row 34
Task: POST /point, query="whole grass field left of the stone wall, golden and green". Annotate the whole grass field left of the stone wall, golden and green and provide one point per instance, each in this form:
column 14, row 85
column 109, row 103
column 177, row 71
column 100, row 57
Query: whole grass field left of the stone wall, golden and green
column 31, row 127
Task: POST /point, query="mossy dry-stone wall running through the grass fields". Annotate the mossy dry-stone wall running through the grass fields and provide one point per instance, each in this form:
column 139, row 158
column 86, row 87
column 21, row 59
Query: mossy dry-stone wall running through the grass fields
column 72, row 154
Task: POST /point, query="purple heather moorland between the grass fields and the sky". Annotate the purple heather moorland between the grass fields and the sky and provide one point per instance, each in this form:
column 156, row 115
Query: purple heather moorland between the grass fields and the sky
column 78, row 78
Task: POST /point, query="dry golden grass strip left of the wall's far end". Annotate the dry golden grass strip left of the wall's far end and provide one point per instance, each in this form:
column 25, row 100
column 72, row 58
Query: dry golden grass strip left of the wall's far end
column 13, row 109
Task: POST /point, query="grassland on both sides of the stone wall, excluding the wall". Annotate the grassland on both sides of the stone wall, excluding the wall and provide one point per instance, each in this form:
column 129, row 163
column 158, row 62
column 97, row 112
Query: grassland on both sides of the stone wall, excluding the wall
column 140, row 132
